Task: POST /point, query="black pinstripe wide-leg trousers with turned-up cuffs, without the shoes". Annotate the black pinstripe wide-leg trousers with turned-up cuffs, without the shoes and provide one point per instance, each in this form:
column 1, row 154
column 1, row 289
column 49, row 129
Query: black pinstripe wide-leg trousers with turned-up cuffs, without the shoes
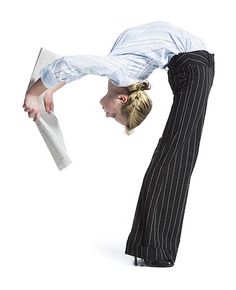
column 158, row 219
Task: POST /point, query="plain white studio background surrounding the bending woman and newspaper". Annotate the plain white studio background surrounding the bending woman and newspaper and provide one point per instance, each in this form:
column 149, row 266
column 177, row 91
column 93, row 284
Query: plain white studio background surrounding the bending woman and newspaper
column 68, row 229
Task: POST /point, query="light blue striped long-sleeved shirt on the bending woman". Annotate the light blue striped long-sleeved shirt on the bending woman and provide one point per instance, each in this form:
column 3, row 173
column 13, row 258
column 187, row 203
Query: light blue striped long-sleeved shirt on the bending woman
column 135, row 54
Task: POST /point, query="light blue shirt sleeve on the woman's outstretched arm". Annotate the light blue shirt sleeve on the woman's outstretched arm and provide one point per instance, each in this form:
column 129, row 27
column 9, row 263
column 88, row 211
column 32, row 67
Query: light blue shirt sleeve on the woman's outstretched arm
column 71, row 68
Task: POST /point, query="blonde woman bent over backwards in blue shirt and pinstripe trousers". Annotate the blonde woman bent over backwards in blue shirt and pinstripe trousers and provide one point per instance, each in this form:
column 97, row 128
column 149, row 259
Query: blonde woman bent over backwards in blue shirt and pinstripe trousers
column 157, row 224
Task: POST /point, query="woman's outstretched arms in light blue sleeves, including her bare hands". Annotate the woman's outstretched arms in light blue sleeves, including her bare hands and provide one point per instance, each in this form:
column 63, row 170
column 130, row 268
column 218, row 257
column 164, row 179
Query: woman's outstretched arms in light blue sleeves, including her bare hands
column 67, row 69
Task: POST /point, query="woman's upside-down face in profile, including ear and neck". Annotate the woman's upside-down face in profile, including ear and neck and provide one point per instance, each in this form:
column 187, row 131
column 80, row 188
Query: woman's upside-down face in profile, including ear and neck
column 113, row 101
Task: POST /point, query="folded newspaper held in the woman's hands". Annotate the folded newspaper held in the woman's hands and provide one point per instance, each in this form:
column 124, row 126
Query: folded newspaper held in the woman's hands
column 48, row 124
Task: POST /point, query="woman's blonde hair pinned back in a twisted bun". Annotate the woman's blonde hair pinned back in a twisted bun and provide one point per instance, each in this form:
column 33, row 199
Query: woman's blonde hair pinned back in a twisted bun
column 138, row 105
